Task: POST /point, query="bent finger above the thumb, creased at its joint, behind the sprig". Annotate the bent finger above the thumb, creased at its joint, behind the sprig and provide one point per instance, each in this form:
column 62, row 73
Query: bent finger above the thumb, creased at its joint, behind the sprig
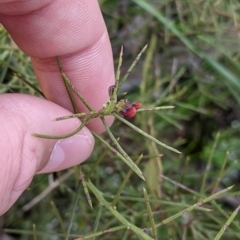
column 75, row 31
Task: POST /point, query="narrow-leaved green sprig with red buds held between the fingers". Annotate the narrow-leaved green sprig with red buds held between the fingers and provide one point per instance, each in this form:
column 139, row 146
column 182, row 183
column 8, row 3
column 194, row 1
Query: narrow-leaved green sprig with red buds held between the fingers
column 122, row 109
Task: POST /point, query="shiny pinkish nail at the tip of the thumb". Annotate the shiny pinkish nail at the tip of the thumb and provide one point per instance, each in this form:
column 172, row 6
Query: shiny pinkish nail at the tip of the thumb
column 69, row 152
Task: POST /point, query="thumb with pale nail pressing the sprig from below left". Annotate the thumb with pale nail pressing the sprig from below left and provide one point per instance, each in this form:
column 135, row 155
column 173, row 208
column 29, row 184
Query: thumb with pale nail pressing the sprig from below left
column 23, row 155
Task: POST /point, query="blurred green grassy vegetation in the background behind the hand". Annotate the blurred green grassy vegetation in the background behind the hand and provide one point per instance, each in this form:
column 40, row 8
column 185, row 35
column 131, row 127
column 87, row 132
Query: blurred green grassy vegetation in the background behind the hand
column 193, row 63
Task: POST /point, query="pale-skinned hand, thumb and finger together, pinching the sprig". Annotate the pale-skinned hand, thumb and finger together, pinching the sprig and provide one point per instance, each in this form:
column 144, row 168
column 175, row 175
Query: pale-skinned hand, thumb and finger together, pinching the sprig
column 75, row 31
